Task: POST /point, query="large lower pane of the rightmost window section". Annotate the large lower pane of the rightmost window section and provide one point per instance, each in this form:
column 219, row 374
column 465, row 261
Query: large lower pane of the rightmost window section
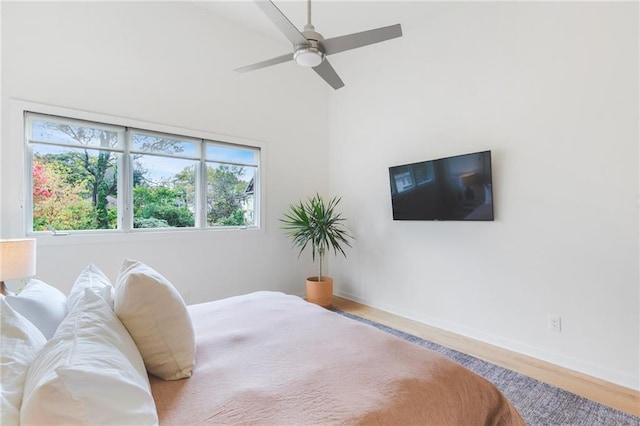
column 230, row 195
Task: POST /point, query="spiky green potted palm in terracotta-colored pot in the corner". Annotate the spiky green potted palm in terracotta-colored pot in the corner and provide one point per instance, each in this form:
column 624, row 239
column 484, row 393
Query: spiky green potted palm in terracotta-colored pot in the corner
column 316, row 224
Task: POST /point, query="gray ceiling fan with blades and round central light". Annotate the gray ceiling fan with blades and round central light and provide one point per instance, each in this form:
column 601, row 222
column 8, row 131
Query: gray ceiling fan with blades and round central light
column 310, row 48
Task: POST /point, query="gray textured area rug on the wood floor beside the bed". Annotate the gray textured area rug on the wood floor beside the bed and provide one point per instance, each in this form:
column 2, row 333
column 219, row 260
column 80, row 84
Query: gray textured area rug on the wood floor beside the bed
column 537, row 402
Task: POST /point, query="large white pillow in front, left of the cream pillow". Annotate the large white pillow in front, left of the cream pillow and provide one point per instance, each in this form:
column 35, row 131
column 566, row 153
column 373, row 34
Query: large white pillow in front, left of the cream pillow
column 90, row 372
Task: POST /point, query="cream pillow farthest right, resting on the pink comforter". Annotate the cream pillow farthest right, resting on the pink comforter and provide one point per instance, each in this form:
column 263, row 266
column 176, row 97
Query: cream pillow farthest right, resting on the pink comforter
column 157, row 318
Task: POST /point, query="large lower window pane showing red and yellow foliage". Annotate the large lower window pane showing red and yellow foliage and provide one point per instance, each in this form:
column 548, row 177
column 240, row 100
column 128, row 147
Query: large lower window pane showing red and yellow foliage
column 74, row 189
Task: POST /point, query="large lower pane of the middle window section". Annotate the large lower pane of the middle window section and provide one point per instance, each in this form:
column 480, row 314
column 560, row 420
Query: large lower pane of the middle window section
column 163, row 192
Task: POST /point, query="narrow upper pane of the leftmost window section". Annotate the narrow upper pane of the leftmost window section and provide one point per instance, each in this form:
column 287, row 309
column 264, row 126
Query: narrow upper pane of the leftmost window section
column 73, row 134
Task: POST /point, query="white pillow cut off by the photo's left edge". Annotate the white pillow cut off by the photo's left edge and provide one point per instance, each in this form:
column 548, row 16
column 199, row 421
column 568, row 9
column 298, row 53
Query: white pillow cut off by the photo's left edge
column 20, row 342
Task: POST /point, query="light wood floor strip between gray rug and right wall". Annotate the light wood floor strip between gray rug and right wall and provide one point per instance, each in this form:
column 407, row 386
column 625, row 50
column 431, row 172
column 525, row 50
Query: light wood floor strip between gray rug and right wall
column 612, row 395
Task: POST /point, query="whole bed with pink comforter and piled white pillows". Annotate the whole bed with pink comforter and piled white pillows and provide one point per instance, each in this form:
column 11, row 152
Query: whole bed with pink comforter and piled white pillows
column 264, row 358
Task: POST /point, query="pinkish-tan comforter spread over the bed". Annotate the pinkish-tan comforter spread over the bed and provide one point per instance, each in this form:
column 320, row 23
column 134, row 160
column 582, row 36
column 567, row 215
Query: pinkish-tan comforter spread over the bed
column 273, row 359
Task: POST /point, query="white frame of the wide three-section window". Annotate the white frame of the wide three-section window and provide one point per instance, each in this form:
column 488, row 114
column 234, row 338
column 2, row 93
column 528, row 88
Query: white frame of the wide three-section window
column 20, row 112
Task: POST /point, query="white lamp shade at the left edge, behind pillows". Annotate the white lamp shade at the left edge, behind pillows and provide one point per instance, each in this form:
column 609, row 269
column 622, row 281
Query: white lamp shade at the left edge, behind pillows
column 17, row 259
